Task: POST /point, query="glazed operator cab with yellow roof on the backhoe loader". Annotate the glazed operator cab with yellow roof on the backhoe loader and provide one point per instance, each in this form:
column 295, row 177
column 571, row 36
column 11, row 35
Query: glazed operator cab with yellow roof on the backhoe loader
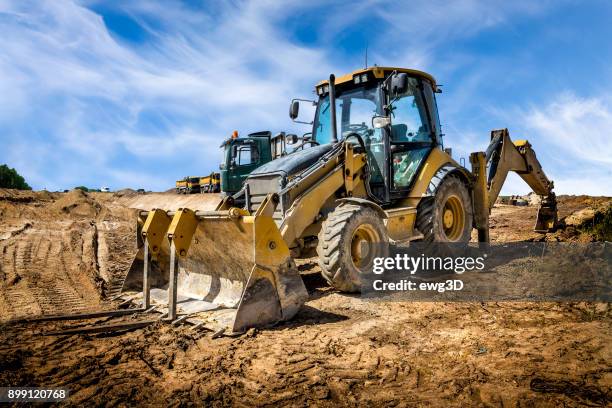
column 393, row 112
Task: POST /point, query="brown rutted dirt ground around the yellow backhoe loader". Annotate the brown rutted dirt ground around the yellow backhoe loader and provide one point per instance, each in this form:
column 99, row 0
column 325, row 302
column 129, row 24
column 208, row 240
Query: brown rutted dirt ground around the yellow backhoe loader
column 62, row 253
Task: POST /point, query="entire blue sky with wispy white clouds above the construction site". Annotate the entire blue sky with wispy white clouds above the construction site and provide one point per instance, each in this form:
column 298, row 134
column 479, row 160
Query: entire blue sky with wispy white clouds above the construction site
column 140, row 93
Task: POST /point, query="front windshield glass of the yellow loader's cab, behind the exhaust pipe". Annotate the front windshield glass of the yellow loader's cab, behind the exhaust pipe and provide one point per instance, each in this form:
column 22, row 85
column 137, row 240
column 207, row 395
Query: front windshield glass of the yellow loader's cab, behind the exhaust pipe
column 354, row 111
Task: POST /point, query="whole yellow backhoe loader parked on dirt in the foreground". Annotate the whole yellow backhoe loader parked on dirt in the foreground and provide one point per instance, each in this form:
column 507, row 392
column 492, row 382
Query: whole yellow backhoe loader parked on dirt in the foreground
column 373, row 173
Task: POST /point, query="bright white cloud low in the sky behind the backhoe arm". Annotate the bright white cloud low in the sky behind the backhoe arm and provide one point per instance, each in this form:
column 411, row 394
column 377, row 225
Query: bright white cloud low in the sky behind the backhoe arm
column 570, row 135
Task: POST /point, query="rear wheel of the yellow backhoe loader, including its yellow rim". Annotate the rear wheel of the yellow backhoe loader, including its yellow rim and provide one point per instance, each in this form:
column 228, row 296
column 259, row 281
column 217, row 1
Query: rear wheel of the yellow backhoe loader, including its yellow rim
column 446, row 217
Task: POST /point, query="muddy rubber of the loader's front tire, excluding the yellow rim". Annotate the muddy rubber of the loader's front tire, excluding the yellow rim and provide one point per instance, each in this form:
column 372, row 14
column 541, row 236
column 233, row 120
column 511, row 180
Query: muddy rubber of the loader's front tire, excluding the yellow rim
column 335, row 241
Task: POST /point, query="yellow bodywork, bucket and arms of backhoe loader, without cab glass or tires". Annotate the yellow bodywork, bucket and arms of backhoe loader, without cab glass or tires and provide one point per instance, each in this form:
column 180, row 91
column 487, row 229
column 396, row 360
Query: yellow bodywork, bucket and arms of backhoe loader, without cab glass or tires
column 233, row 268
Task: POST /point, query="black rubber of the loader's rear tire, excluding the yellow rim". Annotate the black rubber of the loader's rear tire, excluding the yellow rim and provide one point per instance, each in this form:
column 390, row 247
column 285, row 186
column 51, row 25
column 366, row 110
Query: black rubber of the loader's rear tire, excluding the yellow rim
column 430, row 211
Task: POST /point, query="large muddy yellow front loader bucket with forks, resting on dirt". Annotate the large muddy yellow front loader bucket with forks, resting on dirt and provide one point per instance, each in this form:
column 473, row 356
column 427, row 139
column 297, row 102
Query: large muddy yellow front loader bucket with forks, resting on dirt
column 227, row 269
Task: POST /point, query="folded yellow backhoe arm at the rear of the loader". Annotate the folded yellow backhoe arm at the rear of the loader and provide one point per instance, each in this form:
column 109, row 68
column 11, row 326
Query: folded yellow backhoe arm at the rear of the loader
column 503, row 156
